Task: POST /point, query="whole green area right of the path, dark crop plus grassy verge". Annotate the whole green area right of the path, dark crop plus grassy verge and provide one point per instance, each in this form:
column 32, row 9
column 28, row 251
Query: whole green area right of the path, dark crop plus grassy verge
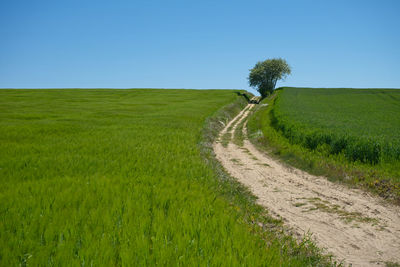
column 355, row 128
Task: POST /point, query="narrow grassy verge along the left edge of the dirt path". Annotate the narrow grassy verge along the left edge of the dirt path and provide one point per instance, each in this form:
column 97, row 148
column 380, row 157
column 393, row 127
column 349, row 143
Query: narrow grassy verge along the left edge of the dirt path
column 254, row 215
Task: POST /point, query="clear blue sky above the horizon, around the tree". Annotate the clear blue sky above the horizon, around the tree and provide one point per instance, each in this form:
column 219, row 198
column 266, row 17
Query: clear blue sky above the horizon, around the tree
column 197, row 44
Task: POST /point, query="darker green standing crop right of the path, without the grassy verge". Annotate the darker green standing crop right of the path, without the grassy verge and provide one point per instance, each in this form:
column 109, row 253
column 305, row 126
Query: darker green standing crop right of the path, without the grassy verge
column 364, row 124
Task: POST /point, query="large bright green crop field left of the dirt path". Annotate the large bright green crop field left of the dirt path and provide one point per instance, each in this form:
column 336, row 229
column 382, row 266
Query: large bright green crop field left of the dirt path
column 117, row 177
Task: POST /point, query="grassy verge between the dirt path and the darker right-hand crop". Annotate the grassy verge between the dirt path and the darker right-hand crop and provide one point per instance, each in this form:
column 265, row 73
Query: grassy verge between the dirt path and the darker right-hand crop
column 267, row 139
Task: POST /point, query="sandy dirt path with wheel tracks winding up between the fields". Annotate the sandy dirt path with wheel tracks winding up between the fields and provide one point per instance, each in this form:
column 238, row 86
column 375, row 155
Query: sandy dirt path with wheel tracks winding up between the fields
column 351, row 224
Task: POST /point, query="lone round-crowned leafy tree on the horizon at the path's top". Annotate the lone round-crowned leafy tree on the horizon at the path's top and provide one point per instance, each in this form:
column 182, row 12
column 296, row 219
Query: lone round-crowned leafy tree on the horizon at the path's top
column 266, row 73
